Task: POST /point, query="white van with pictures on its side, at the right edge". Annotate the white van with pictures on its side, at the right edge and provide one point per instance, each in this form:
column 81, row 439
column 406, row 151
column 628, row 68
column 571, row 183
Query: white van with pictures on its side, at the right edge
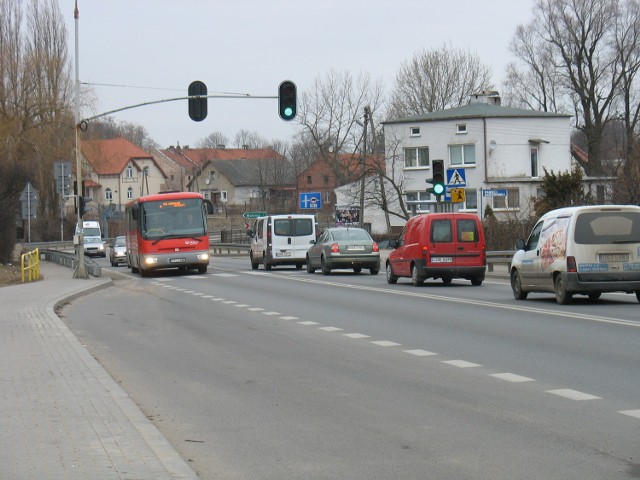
column 585, row 250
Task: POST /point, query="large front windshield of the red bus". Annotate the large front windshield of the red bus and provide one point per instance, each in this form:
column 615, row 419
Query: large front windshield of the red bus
column 173, row 218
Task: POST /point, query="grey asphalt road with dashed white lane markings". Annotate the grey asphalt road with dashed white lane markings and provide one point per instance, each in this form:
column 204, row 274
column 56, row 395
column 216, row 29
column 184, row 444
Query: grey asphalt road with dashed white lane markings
column 286, row 375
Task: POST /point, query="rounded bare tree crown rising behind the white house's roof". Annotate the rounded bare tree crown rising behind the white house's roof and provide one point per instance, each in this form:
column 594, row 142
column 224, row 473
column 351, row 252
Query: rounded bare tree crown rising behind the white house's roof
column 436, row 79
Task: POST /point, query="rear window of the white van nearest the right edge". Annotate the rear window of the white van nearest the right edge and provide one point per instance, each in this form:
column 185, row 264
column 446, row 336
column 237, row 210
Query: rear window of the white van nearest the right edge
column 594, row 228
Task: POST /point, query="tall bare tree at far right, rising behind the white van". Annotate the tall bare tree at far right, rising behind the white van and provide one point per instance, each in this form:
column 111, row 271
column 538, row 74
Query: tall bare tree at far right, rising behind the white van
column 592, row 46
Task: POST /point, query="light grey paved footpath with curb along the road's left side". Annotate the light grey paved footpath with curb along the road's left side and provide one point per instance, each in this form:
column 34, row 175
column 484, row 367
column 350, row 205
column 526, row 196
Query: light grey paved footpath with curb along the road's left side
column 61, row 415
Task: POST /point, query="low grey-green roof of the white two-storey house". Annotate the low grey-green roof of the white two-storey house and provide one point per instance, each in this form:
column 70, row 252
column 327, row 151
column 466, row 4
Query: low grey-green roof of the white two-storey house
column 476, row 110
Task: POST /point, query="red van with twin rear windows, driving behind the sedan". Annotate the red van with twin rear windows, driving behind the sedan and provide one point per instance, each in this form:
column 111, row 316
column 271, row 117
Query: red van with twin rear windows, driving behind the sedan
column 439, row 245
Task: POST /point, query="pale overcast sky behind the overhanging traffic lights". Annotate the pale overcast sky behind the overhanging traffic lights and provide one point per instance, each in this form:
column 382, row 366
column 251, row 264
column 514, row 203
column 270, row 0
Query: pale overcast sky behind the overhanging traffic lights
column 148, row 50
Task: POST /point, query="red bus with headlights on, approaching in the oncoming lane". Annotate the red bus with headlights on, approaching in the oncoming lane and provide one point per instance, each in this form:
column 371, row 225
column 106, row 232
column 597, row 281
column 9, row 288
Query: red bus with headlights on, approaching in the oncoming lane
column 167, row 230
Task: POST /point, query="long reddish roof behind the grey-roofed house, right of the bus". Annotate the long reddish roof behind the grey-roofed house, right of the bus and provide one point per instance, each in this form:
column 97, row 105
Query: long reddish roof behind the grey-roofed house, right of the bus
column 190, row 158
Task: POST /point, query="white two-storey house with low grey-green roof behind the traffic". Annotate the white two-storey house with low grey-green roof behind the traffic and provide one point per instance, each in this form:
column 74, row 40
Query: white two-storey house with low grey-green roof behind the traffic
column 487, row 149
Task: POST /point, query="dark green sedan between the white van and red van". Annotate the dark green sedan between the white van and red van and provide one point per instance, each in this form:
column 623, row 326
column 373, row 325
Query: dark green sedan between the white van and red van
column 344, row 247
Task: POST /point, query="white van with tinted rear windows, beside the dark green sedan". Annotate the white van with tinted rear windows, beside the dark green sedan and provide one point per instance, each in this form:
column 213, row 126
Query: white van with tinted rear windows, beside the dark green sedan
column 281, row 240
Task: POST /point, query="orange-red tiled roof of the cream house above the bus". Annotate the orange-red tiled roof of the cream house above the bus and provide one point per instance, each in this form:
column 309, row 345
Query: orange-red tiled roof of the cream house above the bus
column 111, row 157
